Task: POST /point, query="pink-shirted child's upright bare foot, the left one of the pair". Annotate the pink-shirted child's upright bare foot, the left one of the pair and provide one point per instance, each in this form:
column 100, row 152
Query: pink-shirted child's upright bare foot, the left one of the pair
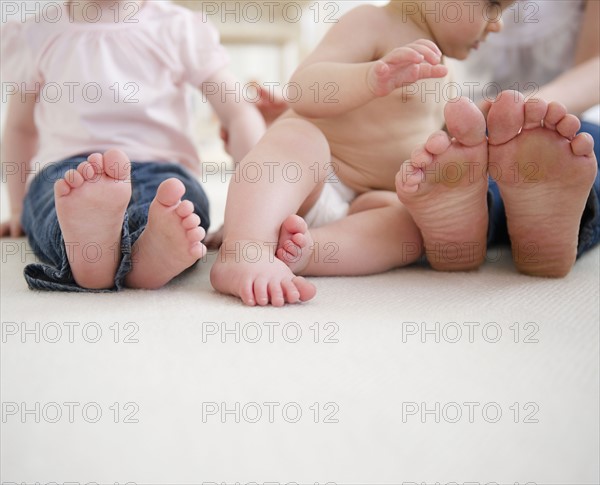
column 90, row 204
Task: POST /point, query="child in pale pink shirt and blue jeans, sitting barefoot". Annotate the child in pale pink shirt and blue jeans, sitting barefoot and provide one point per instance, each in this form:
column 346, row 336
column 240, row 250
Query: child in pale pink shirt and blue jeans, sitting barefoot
column 111, row 76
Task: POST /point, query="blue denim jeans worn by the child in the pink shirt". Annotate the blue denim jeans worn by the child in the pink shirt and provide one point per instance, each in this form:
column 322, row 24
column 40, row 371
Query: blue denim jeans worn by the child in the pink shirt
column 40, row 221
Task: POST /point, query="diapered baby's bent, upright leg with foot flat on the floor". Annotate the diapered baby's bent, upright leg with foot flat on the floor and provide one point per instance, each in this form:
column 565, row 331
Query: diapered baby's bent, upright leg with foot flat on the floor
column 246, row 265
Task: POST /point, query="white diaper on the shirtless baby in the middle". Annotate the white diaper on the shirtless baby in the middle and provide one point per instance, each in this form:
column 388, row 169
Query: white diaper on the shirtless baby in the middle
column 332, row 205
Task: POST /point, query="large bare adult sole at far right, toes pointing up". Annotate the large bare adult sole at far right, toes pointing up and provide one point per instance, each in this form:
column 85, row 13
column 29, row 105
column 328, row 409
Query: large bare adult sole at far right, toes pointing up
column 545, row 173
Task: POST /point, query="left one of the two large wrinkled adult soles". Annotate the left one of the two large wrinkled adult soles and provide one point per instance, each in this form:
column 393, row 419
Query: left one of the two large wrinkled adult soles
column 444, row 186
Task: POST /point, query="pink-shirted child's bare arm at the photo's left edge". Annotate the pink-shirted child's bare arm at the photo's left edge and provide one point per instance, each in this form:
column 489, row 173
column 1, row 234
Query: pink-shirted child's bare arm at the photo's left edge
column 19, row 145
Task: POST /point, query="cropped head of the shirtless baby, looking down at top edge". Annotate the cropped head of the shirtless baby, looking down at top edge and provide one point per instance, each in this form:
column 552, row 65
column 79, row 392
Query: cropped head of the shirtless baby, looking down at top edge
column 459, row 26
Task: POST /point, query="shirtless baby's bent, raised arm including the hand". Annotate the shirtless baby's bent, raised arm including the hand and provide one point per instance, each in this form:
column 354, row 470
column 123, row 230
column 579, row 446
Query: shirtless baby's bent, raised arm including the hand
column 349, row 66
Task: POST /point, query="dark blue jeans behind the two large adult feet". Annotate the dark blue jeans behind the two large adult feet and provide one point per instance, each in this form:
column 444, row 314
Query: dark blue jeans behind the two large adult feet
column 589, row 232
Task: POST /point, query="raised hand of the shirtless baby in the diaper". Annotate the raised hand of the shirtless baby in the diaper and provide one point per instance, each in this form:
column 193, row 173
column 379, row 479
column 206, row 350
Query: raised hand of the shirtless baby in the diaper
column 405, row 65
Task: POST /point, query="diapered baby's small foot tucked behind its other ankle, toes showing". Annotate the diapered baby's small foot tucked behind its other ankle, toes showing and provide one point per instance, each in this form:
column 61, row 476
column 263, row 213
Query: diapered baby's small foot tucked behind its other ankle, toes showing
column 295, row 246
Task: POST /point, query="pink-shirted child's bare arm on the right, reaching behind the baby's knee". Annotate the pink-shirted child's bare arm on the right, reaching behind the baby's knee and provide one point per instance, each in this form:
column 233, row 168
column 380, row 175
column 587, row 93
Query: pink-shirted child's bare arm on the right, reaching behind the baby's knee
column 241, row 120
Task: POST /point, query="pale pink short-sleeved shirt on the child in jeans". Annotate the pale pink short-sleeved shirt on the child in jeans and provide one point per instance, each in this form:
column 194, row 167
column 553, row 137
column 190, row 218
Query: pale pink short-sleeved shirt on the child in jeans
column 112, row 85
